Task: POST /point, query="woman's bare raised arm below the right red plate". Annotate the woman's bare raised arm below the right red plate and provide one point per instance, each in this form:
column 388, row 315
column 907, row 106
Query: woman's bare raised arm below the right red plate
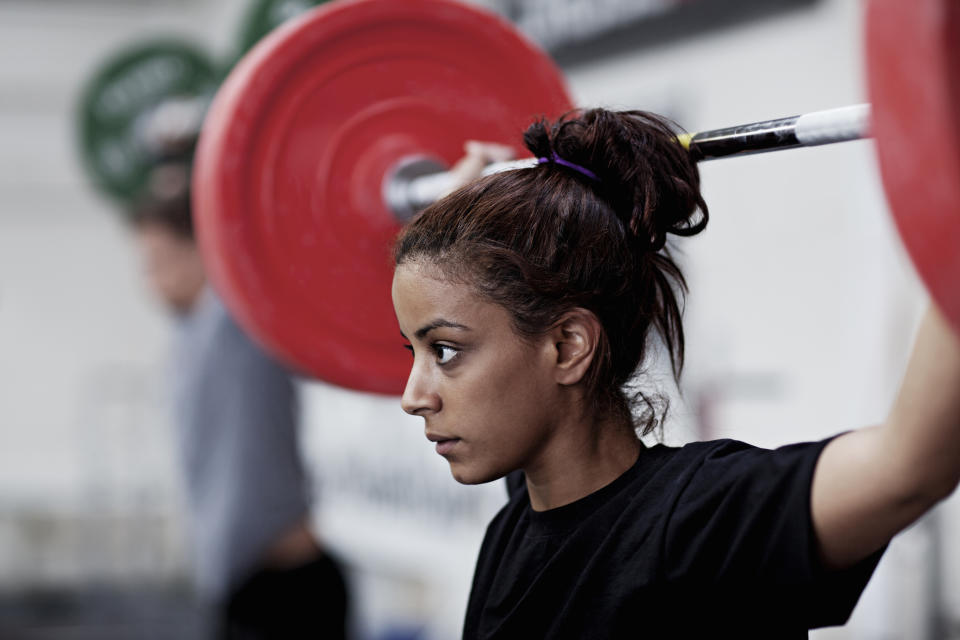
column 872, row 483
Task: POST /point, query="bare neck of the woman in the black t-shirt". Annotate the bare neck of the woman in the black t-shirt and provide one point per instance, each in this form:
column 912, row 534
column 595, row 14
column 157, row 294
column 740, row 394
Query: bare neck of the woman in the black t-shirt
column 580, row 459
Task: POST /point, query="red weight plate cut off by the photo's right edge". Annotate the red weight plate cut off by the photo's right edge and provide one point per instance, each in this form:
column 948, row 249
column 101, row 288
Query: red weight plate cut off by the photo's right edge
column 913, row 54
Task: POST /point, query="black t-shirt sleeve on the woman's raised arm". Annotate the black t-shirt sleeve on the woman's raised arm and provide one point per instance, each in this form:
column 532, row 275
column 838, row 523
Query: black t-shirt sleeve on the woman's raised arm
column 741, row 526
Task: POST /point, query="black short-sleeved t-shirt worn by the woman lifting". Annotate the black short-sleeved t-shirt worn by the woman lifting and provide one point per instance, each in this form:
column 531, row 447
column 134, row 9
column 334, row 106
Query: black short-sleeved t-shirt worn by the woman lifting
column 714, row 539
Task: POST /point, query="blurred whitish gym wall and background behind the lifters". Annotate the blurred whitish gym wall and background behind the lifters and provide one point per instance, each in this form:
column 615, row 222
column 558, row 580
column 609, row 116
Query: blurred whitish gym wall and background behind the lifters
column 799, row 321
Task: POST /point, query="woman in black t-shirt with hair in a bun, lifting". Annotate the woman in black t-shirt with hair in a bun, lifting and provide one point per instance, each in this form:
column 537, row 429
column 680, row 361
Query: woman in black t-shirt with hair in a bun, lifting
column 529, row 299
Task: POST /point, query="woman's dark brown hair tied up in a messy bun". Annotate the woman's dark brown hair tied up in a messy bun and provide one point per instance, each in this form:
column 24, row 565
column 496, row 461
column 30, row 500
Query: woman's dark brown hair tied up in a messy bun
column 544, row 240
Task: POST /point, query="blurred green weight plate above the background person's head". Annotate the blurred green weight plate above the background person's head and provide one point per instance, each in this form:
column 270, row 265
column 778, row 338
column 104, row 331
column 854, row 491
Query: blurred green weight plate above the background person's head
column 123, row 90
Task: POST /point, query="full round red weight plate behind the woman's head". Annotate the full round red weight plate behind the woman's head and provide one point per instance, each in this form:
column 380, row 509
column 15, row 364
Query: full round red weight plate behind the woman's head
column 287, row 178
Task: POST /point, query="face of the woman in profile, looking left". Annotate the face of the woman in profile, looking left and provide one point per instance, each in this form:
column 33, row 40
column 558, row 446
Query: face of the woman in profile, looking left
column 486, row 395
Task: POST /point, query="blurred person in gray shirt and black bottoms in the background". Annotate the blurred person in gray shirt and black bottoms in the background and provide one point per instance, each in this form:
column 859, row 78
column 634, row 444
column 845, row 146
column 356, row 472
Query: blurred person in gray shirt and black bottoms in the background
column 258, row 565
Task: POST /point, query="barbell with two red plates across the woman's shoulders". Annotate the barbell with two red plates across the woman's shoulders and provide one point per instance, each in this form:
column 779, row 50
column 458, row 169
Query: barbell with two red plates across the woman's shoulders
column 339, row 125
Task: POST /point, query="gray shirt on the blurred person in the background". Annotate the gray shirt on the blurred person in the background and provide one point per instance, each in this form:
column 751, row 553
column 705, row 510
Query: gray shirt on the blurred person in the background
column 236, row 413
